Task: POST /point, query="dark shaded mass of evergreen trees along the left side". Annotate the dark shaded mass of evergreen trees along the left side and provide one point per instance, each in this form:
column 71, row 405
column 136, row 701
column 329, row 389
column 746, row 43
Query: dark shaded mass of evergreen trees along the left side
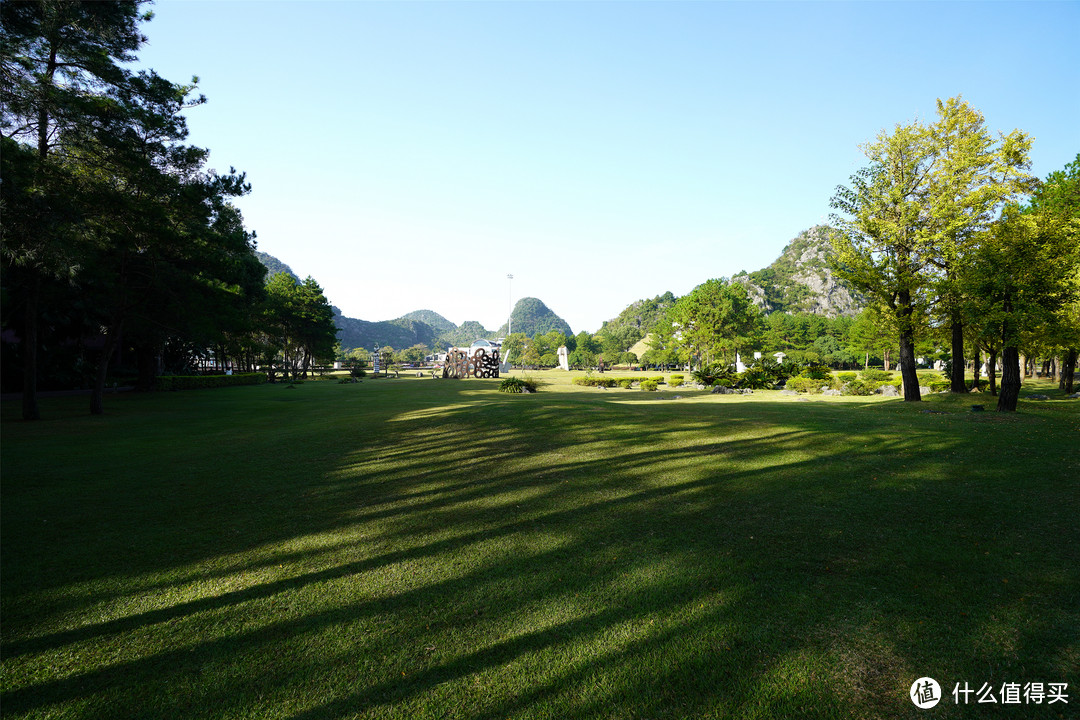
column 118, row 240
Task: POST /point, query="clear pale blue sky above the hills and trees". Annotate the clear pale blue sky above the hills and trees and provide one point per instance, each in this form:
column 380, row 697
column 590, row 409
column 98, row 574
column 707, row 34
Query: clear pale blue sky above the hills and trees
column 411, row 155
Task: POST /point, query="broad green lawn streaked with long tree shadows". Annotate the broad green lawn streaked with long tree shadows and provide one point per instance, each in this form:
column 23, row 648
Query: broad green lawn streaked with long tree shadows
column 418, row 549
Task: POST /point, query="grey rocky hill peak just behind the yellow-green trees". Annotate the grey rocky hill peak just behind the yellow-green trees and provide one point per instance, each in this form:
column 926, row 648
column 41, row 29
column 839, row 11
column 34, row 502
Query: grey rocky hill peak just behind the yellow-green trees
column 802, row 281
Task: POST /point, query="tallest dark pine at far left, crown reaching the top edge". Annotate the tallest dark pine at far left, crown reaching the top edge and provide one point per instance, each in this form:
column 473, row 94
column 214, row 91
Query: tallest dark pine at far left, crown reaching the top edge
column 60, row 61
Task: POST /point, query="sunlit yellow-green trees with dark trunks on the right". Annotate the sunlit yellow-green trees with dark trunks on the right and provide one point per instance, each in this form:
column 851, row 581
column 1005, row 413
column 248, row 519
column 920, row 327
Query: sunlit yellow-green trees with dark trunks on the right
column 937, row 232
